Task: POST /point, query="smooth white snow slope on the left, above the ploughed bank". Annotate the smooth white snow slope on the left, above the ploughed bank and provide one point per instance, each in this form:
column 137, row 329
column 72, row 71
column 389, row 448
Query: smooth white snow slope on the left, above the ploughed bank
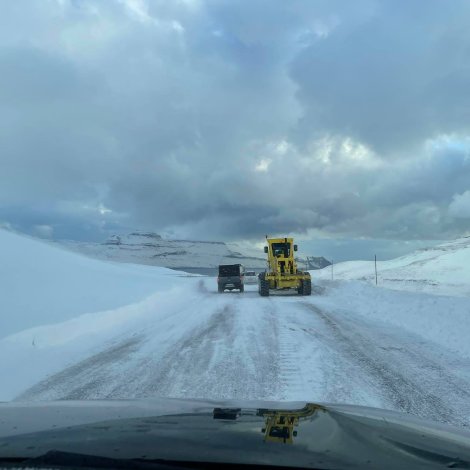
column 40, row 283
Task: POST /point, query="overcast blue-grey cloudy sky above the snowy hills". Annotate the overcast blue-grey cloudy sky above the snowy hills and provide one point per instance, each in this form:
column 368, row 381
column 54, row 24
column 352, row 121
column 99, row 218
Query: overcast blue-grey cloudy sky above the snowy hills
column 230, row 120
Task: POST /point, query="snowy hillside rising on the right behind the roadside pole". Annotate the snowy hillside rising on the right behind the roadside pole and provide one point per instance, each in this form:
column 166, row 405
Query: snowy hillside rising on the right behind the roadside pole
column 443, row 269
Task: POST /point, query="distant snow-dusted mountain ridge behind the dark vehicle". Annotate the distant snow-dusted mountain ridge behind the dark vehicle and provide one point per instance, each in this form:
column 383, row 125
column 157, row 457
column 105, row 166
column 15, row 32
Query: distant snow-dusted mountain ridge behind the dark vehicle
column 151, row 249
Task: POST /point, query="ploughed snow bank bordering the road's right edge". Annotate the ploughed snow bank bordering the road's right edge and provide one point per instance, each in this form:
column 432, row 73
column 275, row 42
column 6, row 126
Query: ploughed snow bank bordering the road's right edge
column 443, row 320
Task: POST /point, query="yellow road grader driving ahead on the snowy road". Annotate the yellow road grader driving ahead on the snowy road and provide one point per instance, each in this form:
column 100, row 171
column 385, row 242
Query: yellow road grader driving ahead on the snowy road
column 282, row 272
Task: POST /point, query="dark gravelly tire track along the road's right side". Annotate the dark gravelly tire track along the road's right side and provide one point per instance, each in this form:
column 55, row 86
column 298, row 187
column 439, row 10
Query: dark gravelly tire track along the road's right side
column 408, row 380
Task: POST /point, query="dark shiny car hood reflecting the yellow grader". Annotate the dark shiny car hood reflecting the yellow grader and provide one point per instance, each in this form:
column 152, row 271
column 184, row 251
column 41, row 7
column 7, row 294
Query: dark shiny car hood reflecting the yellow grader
column 267, row 433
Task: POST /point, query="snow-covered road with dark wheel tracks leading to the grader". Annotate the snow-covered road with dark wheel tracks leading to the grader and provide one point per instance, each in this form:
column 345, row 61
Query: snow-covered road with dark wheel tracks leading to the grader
column 282, row 347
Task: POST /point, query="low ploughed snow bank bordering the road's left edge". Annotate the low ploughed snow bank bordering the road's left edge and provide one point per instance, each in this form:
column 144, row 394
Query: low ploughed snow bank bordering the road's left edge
column 159, row 320
